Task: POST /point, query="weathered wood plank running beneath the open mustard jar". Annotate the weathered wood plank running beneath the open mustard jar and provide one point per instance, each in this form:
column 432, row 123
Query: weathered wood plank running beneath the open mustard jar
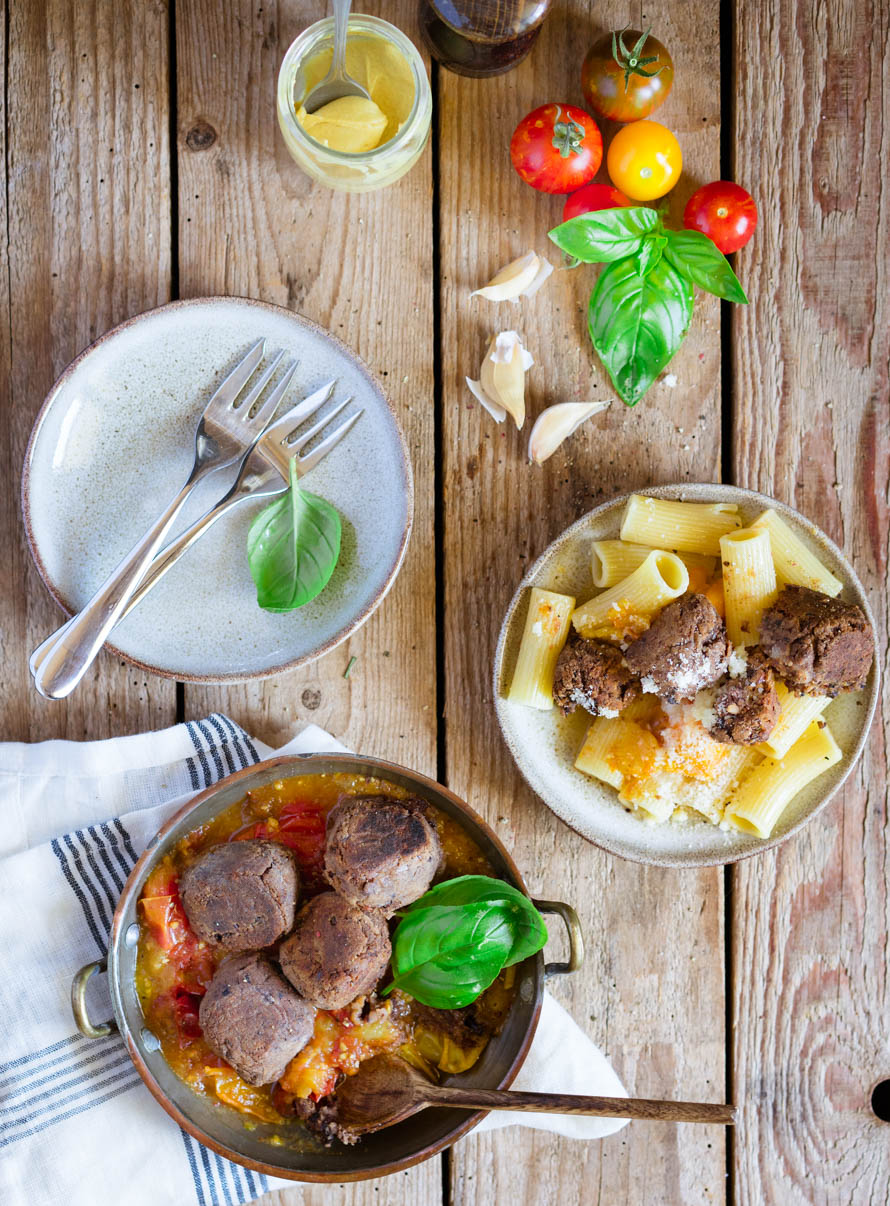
column 251, row 224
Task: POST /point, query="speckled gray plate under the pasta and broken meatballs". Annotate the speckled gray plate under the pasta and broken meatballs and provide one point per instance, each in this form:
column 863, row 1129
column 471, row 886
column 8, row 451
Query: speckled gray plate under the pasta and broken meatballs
column 546, row 743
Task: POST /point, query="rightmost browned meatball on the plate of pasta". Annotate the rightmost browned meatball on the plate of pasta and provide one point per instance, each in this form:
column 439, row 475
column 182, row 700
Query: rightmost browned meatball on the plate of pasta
column 817, row 645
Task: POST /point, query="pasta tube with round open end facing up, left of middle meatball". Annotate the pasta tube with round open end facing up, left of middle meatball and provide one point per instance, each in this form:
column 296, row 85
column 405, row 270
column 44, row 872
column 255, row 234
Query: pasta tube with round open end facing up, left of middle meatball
column 626, row 608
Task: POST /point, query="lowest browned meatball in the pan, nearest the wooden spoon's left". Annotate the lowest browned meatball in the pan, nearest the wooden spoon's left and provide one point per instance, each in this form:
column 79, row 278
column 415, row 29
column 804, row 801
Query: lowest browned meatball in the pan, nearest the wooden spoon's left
column 254, row 1020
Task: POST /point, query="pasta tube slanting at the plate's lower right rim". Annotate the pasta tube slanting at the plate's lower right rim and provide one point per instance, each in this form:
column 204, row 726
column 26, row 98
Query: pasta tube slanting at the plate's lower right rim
column 771, row 787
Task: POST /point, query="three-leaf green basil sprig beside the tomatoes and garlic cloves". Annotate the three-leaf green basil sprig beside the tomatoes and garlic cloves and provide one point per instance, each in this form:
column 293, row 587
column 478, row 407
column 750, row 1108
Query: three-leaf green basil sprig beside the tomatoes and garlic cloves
column 642, row 306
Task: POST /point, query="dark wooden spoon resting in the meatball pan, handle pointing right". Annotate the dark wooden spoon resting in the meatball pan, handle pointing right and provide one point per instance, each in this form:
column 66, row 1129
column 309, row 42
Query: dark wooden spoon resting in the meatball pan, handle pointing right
column 387, row 1090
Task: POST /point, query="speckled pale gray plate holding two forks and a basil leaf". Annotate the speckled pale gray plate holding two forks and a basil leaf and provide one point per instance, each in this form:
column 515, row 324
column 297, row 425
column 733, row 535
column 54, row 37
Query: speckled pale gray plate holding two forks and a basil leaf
column 114, row 443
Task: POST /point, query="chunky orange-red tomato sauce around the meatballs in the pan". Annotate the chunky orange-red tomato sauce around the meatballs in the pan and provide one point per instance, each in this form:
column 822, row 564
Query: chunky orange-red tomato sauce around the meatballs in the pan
column 174, row 968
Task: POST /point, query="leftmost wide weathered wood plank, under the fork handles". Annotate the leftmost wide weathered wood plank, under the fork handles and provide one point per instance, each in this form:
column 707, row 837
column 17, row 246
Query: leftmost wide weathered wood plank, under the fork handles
column 89, row 247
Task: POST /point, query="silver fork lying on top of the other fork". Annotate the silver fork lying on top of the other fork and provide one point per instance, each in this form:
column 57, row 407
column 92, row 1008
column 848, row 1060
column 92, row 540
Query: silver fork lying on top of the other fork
column 225, row 434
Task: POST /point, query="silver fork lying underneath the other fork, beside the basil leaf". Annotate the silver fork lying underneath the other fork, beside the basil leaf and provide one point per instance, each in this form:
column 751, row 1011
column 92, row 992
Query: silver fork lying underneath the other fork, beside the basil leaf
column 265, row 472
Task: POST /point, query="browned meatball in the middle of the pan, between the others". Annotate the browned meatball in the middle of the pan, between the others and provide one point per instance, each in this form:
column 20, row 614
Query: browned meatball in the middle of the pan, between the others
column 337, row 952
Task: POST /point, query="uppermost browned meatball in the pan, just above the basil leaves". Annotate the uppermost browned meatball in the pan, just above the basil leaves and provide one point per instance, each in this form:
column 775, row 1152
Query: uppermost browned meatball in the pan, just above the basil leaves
column 380, row 853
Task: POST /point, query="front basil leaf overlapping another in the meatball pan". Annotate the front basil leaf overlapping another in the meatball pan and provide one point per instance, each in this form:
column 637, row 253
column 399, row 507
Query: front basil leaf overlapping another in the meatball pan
column 446, row 957
